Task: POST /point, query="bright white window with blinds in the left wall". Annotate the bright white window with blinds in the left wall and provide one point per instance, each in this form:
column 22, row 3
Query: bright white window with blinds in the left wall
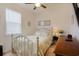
column 13, row 22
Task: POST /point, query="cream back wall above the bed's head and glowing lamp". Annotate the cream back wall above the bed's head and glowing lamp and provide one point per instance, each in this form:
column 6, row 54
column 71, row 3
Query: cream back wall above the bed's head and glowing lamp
column 59, row 14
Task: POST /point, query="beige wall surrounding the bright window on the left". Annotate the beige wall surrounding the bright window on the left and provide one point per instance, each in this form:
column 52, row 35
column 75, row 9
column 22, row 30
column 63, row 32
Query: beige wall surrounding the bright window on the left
column 27, row 16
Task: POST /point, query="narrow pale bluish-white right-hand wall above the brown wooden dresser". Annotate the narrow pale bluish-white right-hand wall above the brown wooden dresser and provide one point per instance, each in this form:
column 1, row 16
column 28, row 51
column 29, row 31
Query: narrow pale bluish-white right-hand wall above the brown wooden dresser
column 74, row 29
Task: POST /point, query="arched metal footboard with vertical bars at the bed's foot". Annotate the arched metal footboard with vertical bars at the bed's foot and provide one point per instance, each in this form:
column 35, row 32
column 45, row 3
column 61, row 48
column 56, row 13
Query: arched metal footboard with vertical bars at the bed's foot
column 22, row 45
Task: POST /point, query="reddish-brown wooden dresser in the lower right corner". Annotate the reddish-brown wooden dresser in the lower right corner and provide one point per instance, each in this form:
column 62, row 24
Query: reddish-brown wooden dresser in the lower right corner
column 67, row 48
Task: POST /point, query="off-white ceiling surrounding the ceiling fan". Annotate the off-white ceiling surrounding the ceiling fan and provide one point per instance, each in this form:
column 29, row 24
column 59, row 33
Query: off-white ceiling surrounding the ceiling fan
column 50, row 7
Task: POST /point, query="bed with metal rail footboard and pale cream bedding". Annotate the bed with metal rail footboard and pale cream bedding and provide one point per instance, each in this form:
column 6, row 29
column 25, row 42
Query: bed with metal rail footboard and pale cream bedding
column 32, row 45
